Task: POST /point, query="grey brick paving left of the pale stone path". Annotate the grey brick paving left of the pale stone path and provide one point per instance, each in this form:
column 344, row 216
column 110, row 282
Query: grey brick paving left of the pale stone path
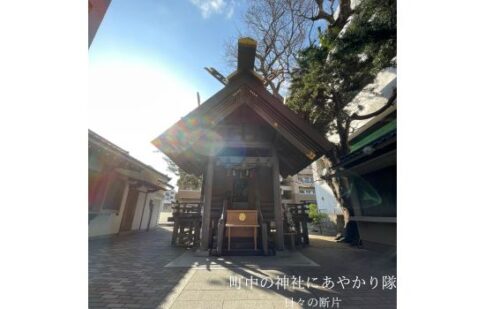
column 127, row 271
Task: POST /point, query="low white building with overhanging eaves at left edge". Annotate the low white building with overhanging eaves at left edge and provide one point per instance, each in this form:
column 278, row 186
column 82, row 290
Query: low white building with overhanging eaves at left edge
column 125, row 194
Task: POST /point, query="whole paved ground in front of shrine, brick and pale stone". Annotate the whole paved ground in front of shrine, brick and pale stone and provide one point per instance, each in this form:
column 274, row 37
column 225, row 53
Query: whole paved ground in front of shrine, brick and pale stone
column 129, row 272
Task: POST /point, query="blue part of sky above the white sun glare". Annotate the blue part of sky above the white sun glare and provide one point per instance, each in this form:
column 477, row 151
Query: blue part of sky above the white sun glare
column 183, row 36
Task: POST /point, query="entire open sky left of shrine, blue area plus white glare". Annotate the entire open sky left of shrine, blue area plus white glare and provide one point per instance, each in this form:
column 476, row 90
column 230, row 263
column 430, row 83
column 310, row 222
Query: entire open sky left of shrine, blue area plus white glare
column 146, row 65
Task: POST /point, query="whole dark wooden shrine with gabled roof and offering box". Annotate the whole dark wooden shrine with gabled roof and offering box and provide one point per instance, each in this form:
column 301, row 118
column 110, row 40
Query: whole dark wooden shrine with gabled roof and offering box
column 242, row 140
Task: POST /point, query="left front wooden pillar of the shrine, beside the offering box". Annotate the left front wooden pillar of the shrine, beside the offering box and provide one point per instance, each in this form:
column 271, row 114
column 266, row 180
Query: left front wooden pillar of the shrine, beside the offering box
column 206, row 218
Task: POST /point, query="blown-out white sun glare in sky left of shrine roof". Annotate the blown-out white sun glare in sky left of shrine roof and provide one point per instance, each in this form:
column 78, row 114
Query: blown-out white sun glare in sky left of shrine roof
column 131, row 102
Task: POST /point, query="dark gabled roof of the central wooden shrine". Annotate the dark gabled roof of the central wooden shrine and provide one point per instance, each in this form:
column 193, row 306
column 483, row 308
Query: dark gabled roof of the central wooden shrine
column 297, row 143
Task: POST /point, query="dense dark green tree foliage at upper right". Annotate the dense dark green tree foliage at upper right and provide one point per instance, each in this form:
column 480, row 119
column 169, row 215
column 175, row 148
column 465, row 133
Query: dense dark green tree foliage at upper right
column 330, row 75
